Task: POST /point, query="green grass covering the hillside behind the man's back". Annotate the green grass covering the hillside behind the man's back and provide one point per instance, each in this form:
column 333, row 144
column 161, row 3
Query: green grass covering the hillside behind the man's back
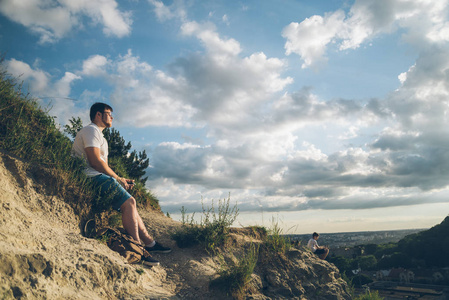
column 28, row 132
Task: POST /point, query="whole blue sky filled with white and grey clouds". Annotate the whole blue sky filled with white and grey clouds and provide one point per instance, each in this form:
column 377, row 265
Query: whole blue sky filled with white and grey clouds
column 324, row 116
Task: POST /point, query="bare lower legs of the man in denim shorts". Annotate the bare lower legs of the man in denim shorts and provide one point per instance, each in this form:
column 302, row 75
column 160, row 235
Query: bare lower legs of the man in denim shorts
column 132, row 222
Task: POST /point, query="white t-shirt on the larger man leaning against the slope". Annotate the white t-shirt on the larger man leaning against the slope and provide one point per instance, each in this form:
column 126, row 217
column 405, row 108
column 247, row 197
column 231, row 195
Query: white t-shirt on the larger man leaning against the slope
column 90, row 136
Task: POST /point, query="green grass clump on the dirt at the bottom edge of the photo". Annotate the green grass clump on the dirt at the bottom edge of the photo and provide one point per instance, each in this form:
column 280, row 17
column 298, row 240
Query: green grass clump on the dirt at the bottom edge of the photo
column 235, row 274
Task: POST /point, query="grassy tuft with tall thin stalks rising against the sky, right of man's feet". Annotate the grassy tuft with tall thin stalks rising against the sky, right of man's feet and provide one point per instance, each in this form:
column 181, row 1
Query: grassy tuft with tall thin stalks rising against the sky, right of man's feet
column 212, row 231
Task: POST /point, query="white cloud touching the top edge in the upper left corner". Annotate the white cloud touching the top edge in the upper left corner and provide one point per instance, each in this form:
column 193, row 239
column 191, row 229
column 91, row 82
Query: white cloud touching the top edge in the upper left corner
column 53, row 20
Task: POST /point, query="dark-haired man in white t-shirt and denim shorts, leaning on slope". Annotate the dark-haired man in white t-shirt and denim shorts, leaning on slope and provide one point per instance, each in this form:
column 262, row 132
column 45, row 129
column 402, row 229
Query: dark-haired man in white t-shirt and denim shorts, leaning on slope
column 91, row 145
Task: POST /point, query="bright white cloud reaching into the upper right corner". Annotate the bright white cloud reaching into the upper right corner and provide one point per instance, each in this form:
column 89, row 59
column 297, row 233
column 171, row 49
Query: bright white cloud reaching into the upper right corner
column 423, row 21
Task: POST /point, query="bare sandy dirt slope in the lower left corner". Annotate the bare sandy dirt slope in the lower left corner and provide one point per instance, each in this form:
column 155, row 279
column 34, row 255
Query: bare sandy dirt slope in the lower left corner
column 44, row 256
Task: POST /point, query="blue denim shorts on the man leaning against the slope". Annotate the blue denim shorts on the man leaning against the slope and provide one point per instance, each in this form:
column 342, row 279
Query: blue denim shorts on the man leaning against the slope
column 108, row 186
